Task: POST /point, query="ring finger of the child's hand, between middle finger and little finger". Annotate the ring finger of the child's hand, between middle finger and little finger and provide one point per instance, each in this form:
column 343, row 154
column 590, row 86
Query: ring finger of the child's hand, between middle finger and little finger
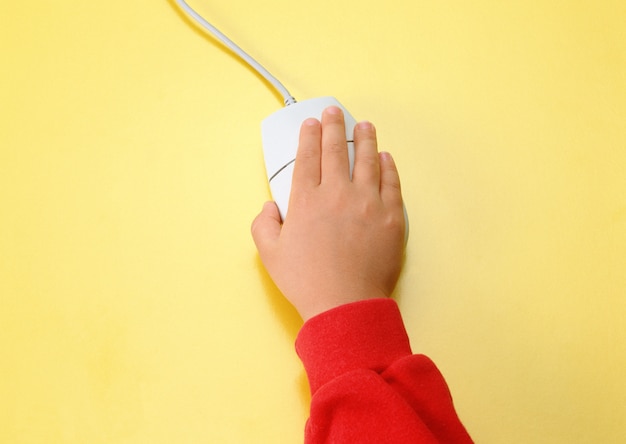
column 366, row 164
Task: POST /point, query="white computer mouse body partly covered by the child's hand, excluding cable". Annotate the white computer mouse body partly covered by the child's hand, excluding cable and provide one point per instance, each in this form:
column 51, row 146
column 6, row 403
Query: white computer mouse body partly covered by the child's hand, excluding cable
column 280, row 136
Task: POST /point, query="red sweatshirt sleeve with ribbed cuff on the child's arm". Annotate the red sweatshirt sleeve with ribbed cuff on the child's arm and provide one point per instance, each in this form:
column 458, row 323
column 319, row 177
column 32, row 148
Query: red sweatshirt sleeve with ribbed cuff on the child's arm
column 367, row 386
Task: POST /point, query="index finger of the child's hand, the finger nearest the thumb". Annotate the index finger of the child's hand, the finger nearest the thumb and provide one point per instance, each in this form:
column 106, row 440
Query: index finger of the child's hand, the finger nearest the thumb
column 307, row 169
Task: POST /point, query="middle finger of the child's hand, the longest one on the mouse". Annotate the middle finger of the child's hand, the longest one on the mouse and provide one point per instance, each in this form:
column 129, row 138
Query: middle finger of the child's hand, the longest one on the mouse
column 335, row 163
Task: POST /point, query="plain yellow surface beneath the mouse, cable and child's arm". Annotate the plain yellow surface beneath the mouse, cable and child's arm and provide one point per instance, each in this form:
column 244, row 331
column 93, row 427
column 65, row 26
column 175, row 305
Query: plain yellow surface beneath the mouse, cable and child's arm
column 133, row 308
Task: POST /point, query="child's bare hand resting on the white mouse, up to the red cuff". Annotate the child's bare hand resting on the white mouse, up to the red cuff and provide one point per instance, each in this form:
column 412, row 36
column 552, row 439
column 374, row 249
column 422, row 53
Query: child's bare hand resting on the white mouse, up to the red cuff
column 342, row 240
